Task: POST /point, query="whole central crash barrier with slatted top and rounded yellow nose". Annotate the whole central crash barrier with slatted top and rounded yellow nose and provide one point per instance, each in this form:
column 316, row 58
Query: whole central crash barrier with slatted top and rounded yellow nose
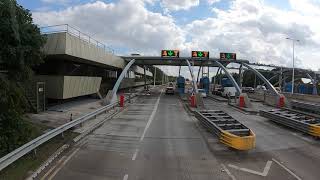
column 230, row 131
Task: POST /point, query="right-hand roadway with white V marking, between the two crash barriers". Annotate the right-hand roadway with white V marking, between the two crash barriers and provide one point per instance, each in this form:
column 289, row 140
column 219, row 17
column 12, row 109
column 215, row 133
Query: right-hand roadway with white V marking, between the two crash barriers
column 292, row 154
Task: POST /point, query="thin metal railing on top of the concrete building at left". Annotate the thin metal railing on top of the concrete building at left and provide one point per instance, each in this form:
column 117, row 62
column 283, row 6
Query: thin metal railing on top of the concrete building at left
column 74, row 32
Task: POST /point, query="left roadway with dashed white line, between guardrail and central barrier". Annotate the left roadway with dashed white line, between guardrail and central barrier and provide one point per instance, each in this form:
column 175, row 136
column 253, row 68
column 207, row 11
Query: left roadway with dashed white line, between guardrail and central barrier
column 154, row 138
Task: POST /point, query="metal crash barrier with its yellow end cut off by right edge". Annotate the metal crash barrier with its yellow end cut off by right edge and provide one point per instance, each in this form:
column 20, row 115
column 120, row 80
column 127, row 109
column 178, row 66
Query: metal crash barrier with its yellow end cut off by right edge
column 299, row 121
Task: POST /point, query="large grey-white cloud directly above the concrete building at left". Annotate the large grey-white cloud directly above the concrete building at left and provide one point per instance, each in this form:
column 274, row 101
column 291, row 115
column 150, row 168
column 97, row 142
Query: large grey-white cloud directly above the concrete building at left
column 126, row 23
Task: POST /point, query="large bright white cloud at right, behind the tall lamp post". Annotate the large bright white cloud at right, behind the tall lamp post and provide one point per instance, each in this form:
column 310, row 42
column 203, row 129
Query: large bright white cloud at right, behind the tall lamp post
column 257, row 32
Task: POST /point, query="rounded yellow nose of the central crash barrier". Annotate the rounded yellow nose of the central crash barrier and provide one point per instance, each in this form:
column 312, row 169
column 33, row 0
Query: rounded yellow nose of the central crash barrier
column 238, row 142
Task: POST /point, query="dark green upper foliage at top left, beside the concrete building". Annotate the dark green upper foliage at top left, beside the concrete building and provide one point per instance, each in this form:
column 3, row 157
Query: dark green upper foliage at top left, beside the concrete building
column 20, row 40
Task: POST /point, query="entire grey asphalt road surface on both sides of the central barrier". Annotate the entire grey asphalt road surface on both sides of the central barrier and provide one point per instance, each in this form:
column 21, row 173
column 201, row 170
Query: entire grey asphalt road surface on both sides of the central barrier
column 155, row 138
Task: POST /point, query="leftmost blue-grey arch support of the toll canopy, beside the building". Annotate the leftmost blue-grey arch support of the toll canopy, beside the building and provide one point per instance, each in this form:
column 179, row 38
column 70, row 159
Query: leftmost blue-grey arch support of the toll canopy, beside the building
column 113, row 93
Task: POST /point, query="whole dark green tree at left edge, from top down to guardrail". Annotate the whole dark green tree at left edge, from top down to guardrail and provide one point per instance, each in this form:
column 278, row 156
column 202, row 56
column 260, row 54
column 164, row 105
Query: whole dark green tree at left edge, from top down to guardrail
column 20, row 50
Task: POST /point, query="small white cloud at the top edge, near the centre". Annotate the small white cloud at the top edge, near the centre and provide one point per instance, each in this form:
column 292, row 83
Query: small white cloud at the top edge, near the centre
column 176, row 5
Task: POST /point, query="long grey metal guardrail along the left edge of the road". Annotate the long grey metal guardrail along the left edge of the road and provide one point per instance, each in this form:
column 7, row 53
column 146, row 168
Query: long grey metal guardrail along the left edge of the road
column 32, row 145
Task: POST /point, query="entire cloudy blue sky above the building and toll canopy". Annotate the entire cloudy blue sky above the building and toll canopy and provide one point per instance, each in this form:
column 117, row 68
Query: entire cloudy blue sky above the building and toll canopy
column 256, row 30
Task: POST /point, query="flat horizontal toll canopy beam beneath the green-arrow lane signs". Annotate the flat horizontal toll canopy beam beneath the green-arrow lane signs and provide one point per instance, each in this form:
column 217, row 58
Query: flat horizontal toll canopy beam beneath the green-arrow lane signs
column 179, row 61
